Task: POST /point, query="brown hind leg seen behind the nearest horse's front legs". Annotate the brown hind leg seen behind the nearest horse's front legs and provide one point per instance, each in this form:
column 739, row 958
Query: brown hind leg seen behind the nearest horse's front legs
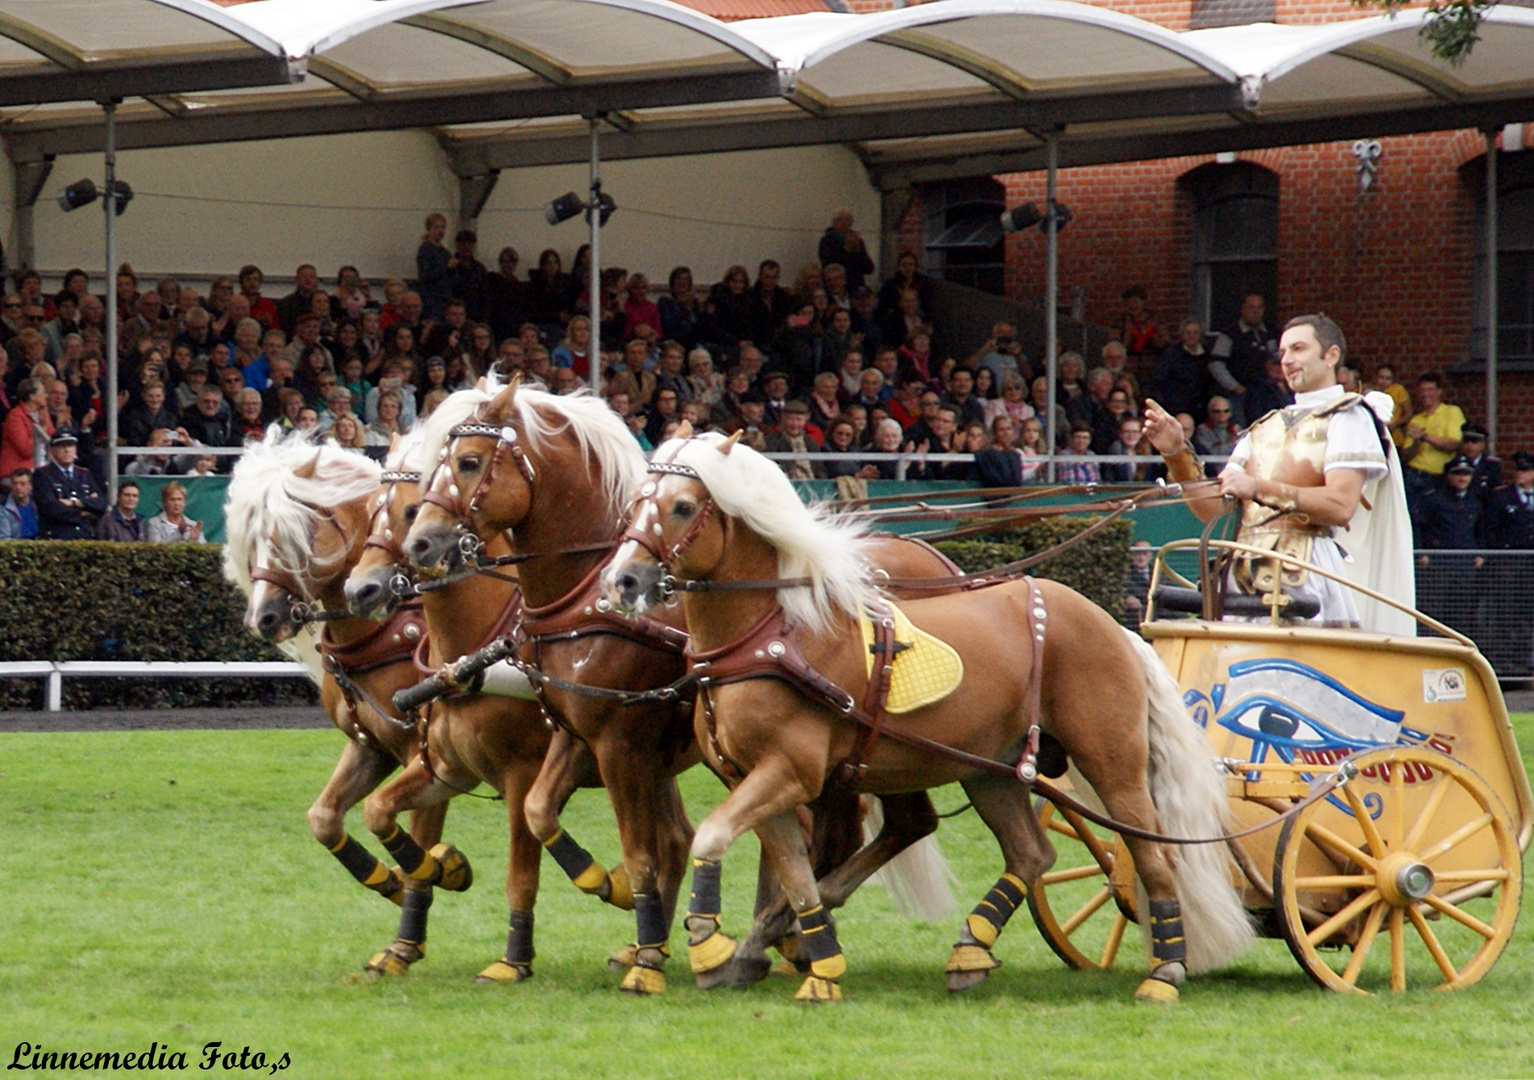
column 907, row 820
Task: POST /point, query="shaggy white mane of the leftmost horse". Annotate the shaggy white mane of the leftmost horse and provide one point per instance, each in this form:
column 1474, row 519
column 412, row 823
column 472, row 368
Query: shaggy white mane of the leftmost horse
column 266, row 495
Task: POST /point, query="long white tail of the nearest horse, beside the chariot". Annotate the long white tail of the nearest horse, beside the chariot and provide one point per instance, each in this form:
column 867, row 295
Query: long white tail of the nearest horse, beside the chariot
column 1191, row 802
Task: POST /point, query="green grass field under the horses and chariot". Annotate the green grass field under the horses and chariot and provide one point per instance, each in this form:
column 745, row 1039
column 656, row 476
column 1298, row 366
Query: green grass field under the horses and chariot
column 163, row 887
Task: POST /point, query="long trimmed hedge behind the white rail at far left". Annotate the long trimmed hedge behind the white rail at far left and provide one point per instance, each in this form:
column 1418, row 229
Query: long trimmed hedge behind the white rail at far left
column 84, row 601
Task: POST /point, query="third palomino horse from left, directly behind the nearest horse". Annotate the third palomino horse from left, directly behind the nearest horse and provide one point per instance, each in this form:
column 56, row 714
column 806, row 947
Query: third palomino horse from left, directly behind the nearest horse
column 573, row 469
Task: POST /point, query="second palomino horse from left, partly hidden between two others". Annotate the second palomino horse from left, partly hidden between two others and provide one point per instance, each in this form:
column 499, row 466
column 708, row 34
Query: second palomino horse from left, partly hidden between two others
column 472, row 739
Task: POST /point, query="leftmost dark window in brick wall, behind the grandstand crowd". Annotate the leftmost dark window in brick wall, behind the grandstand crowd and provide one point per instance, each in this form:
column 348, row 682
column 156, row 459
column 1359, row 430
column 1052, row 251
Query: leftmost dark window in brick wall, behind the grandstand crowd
column 963, row 234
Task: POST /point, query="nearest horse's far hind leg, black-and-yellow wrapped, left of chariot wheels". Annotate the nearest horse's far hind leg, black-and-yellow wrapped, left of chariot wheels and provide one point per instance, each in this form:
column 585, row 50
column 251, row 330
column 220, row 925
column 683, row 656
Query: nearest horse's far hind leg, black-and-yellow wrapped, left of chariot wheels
column 1004, row 806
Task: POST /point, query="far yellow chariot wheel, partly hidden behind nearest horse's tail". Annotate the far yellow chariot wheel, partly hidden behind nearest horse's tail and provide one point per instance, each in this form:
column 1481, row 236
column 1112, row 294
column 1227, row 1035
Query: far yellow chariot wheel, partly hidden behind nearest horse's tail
column 1087, row 901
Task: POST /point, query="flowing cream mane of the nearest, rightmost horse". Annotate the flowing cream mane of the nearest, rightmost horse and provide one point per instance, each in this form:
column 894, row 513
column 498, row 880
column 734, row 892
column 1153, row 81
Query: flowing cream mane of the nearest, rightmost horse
column 811, row 541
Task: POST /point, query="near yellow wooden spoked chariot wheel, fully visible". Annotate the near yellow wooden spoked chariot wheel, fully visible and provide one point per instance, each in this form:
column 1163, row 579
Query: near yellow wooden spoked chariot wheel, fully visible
column 1407, row 877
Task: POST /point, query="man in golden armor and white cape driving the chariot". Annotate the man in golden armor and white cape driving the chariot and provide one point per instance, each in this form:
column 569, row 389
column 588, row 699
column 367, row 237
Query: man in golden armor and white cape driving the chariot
column 1311, row 475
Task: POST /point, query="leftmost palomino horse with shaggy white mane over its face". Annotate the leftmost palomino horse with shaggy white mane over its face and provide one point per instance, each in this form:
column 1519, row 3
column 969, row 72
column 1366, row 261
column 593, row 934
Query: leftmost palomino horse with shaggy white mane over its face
column 297, row 521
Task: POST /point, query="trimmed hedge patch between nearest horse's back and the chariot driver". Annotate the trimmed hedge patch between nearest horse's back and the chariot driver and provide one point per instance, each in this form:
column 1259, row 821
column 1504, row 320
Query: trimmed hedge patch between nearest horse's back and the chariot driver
column 1098, row 568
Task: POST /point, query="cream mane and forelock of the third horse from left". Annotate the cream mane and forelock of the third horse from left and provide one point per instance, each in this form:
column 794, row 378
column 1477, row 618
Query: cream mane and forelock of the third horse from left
column 597, row 430
